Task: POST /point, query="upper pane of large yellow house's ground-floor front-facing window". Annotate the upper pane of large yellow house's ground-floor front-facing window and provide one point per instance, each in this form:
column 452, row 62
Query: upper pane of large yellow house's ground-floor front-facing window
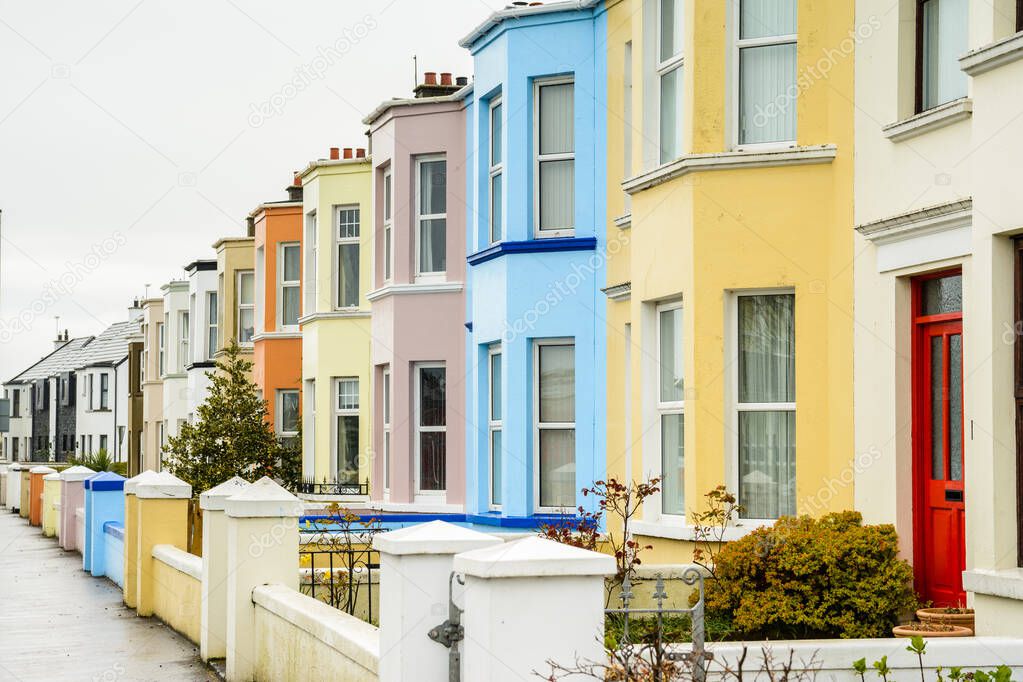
column 767, row 349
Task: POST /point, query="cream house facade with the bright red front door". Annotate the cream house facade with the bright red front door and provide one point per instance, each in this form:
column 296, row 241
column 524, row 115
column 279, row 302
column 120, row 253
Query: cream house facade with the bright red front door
column 939, row 275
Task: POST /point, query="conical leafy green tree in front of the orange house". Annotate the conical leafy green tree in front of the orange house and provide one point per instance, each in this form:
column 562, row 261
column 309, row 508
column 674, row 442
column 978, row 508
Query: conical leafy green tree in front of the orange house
column 232, row 435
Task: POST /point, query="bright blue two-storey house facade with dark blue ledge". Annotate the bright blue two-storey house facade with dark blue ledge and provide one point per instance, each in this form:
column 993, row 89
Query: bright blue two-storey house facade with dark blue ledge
column 536, row 350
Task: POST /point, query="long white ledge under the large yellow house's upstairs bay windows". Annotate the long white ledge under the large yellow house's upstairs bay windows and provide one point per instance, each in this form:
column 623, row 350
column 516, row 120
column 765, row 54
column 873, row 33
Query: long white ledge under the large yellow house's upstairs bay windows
column 727, row 161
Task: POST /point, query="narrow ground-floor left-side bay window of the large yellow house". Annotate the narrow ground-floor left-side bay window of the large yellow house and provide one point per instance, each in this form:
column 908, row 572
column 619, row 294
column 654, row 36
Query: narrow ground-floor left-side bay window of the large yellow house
column 670, row 407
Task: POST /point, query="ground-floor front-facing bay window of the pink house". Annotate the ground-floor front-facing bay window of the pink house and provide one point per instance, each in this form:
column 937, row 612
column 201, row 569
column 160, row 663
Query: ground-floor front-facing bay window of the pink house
column 431, row 428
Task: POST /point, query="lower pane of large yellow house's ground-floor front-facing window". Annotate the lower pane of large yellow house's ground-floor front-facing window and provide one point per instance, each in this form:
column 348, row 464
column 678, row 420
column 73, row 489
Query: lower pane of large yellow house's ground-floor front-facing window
column 768, row 465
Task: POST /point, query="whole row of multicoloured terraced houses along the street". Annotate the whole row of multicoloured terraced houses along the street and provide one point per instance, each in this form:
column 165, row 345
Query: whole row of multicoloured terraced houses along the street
column 766, row 245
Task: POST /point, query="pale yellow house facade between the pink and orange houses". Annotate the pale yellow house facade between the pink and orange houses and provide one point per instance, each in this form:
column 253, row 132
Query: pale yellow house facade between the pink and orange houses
column 336, row 325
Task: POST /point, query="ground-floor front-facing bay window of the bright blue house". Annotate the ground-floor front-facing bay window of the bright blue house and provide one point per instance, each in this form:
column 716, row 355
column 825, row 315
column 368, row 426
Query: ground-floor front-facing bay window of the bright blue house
column 554, row 434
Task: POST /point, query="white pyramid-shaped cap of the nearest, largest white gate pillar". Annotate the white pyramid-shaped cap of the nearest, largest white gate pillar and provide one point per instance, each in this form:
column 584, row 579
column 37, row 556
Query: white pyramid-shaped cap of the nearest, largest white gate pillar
column 533, row 558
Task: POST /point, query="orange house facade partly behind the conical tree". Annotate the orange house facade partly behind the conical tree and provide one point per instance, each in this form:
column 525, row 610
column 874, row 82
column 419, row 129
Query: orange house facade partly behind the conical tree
column 278, row 342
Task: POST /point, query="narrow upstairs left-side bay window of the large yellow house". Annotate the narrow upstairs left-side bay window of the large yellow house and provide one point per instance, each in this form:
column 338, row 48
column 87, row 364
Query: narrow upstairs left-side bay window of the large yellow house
column 670, row 74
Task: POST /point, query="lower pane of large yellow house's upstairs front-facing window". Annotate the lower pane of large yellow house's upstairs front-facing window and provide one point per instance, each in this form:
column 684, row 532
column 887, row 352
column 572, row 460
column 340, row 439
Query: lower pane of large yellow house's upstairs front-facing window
column 768, row 95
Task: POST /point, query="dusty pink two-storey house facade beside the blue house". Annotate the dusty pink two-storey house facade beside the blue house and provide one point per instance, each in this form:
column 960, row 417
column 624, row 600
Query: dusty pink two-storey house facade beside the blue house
column 419, row 301
